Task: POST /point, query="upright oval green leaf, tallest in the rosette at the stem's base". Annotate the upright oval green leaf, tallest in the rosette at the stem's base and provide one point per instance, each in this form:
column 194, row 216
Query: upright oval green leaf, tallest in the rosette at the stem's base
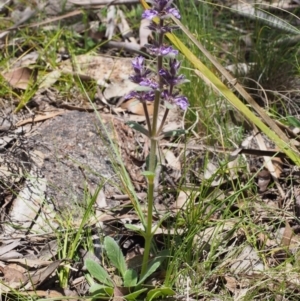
column 115, row 254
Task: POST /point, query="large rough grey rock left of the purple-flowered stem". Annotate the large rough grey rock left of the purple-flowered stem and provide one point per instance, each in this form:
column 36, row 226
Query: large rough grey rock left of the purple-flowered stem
column 75, row 156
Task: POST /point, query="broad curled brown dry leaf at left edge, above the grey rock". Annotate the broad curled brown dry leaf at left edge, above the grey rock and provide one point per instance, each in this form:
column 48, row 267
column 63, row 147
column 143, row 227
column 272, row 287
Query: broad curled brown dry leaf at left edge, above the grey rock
column 20, row 78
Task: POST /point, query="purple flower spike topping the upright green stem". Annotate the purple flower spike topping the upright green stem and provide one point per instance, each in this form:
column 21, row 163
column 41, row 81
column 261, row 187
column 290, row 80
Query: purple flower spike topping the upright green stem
column 167, row 78
